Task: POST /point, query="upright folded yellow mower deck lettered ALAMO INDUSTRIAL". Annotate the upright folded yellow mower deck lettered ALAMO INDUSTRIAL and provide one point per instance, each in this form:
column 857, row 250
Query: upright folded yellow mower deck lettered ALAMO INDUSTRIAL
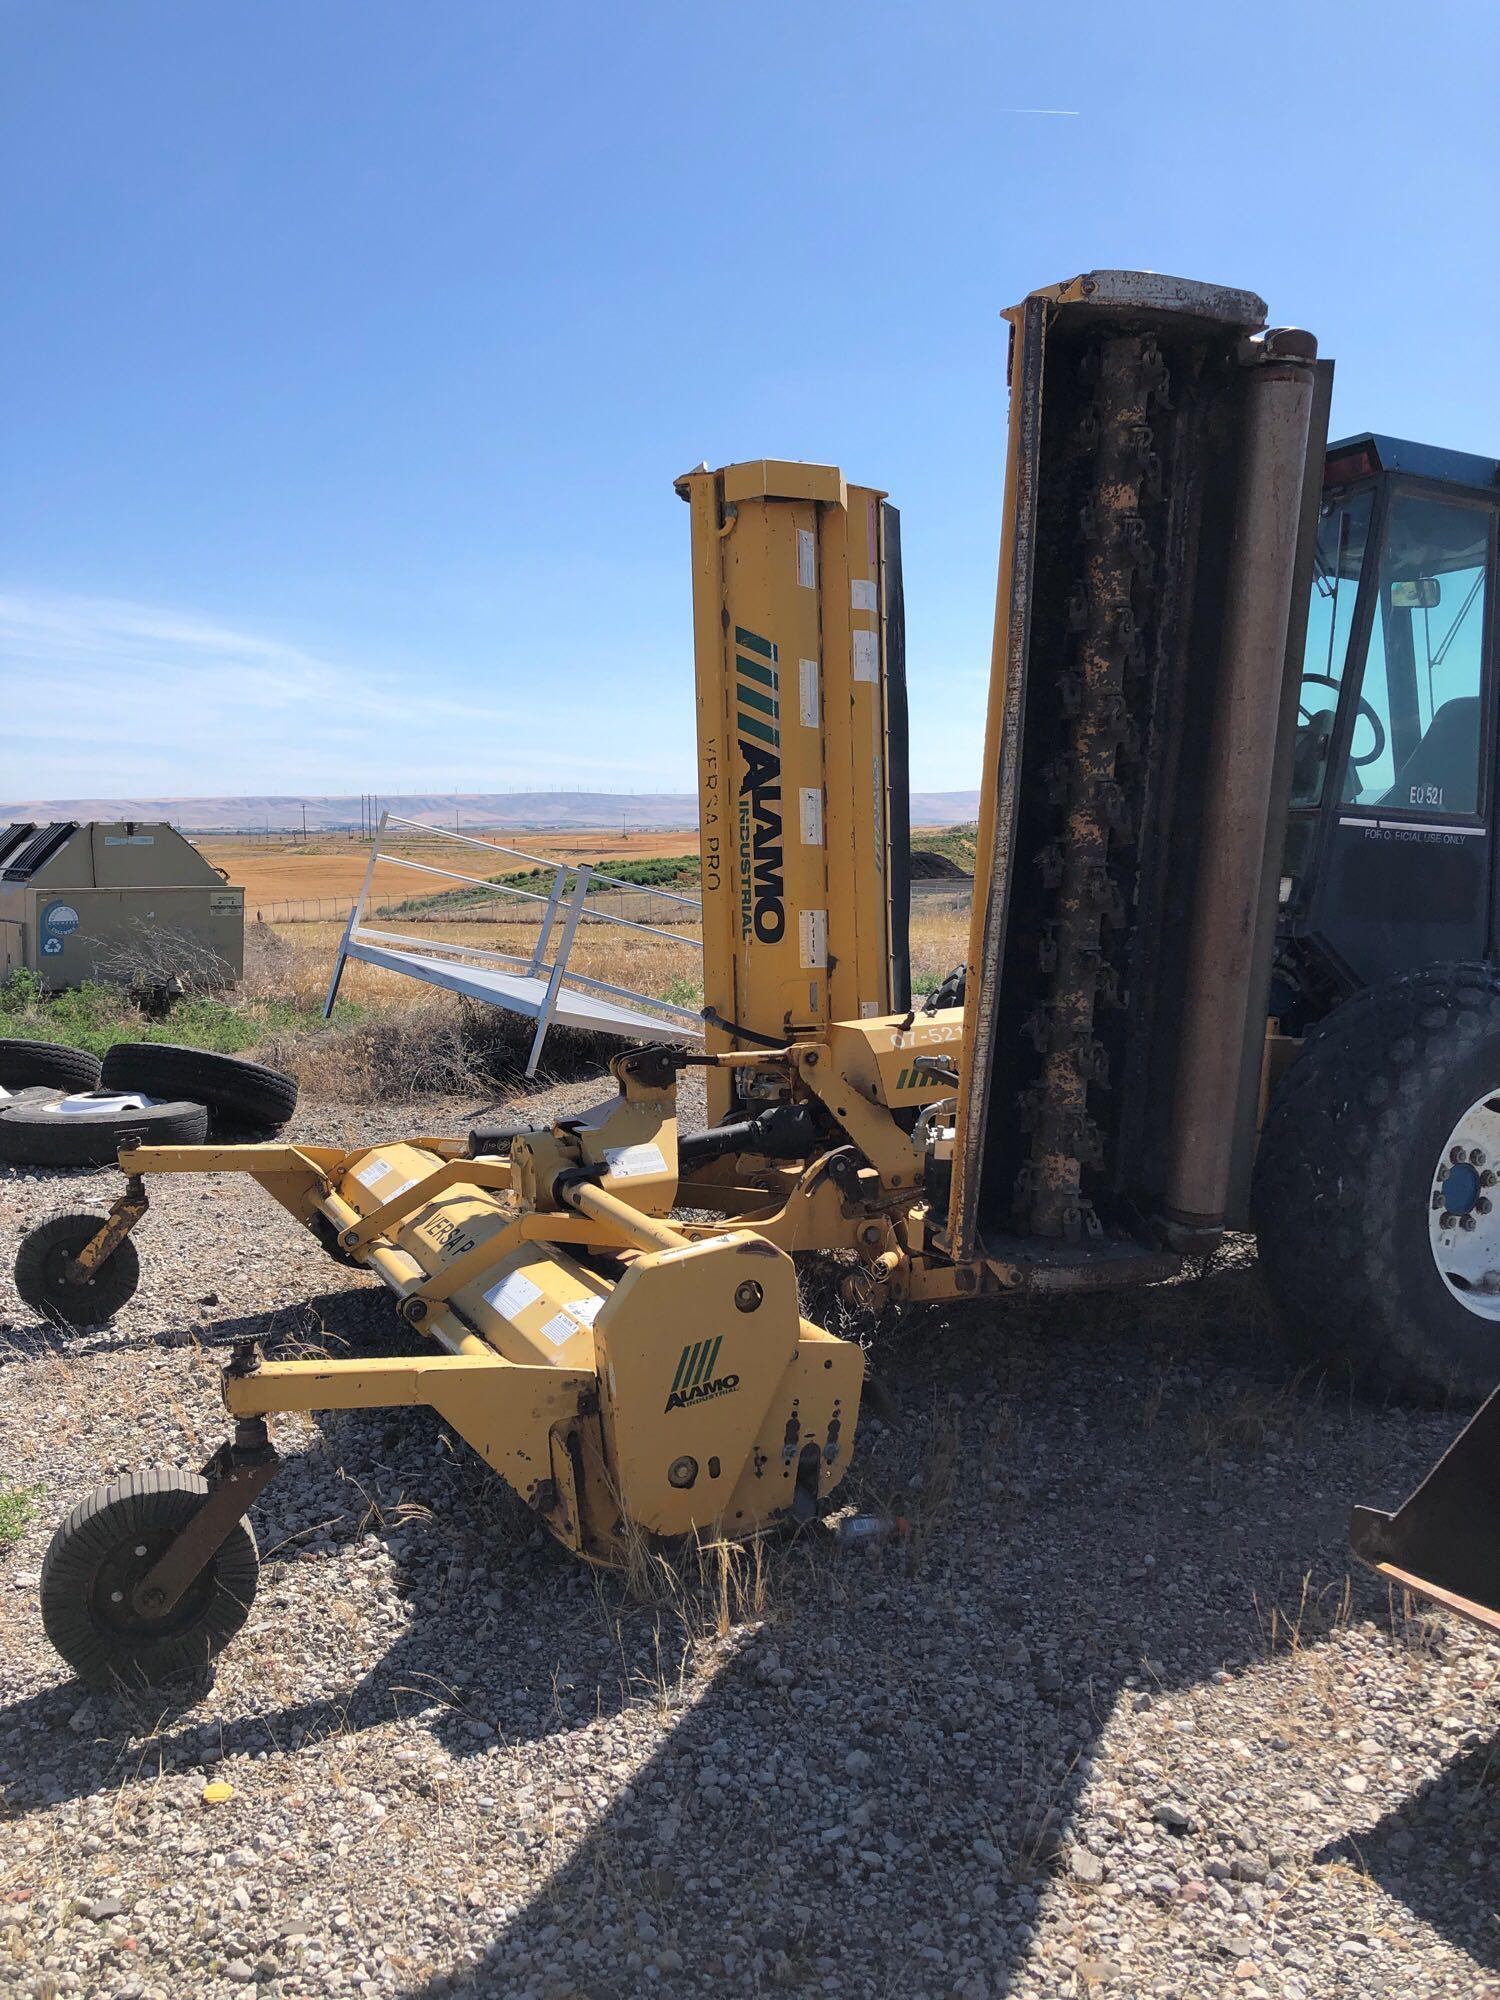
column 793, row 751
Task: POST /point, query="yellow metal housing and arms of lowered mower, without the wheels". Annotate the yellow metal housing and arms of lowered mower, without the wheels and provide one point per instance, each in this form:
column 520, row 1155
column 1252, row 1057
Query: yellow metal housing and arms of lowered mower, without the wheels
column 663, row 1391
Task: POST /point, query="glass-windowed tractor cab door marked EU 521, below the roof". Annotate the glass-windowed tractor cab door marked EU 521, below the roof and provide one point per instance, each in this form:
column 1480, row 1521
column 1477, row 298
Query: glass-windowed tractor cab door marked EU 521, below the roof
column 1403, row 865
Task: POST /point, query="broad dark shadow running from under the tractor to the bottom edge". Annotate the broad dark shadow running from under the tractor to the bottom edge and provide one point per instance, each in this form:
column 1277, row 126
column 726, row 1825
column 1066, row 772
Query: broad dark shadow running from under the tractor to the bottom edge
column 875, row 1791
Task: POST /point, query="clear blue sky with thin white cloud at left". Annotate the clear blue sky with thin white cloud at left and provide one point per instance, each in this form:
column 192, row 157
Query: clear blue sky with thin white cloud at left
column 351, row 349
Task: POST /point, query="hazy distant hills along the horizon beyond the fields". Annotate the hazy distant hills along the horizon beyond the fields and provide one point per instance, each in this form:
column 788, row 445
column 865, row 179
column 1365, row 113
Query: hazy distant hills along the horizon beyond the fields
column 521, row 811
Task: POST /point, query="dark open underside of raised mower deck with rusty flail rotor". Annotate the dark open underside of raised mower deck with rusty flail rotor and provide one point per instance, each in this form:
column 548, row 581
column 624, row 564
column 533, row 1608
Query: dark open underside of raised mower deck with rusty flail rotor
column 1105, row 689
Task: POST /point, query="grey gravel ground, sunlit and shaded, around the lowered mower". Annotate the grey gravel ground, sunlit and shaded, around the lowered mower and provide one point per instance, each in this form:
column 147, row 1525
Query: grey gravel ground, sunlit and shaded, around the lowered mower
column 1115, row 1719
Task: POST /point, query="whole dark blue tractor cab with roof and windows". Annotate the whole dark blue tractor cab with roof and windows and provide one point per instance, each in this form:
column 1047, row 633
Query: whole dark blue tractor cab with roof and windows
column 1393, row 801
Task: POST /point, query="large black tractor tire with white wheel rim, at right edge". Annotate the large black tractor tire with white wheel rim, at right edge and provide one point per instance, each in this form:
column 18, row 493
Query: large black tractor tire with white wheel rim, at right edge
column 1377, row 1189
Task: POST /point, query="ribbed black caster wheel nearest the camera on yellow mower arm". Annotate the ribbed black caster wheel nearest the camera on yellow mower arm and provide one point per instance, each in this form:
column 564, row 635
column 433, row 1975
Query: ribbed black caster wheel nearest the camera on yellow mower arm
column 103, row 1551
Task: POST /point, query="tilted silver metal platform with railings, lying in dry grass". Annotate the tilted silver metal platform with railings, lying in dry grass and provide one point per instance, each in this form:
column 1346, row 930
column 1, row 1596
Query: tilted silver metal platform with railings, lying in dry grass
column 561, row 911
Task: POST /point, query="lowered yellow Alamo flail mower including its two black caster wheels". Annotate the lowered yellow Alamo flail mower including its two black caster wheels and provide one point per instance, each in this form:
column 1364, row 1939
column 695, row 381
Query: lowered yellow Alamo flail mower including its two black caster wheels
column 631, row 1379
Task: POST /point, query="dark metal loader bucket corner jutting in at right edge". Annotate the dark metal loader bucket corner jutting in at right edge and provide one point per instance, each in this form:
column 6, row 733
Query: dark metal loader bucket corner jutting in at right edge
column 1445, row 1541
